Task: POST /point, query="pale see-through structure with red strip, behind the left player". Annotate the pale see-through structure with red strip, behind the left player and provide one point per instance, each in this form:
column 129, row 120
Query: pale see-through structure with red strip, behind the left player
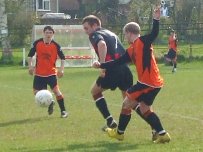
column 74, row 43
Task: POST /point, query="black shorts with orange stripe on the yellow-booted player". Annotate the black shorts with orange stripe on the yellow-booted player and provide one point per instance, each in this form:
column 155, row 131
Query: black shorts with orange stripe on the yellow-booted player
column 142, row 92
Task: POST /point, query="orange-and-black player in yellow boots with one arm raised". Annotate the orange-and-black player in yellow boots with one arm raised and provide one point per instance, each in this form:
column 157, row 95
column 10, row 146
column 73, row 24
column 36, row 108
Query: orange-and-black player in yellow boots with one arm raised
column 149, row 81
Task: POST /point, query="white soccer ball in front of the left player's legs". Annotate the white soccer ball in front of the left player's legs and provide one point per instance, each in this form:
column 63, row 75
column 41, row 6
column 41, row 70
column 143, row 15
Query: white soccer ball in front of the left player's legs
column 43, row 98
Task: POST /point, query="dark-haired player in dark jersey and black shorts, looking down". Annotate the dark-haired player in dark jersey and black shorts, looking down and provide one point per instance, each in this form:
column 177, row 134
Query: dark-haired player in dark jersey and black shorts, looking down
column 107, row 47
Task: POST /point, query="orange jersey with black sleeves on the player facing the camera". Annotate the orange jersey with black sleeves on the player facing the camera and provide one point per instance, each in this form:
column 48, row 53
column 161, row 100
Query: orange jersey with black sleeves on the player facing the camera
column 46, row 56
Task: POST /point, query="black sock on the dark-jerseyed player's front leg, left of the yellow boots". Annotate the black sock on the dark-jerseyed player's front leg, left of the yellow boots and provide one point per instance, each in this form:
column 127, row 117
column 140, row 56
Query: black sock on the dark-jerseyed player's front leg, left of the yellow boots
column 102, row 106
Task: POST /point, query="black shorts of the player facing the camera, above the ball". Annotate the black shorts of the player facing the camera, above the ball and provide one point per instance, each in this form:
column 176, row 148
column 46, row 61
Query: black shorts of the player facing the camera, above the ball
column 40, row 83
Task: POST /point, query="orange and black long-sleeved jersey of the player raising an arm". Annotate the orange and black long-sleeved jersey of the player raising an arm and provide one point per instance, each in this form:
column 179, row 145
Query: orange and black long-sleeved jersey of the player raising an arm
column 141, row 54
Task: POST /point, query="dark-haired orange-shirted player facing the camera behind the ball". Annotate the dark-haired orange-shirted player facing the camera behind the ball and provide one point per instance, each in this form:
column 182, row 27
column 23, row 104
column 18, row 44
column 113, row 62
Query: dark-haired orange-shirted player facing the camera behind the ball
column 45, row 72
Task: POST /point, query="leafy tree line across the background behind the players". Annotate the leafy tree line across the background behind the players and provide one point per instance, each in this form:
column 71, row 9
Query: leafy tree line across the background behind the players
column 185, row 16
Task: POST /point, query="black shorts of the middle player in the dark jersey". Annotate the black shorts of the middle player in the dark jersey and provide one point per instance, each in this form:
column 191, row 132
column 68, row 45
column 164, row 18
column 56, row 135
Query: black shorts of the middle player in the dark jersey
column 120, row 77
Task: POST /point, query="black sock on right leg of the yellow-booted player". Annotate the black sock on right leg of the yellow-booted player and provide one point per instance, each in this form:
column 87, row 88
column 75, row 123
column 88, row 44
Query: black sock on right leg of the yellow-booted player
column 154, row 121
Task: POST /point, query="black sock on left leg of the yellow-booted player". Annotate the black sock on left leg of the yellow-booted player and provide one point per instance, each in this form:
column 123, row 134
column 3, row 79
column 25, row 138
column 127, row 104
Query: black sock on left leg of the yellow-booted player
column 123, row 122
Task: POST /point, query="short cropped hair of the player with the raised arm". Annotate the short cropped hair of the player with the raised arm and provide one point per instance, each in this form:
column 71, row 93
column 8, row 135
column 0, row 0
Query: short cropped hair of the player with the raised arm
column 132, row 27
